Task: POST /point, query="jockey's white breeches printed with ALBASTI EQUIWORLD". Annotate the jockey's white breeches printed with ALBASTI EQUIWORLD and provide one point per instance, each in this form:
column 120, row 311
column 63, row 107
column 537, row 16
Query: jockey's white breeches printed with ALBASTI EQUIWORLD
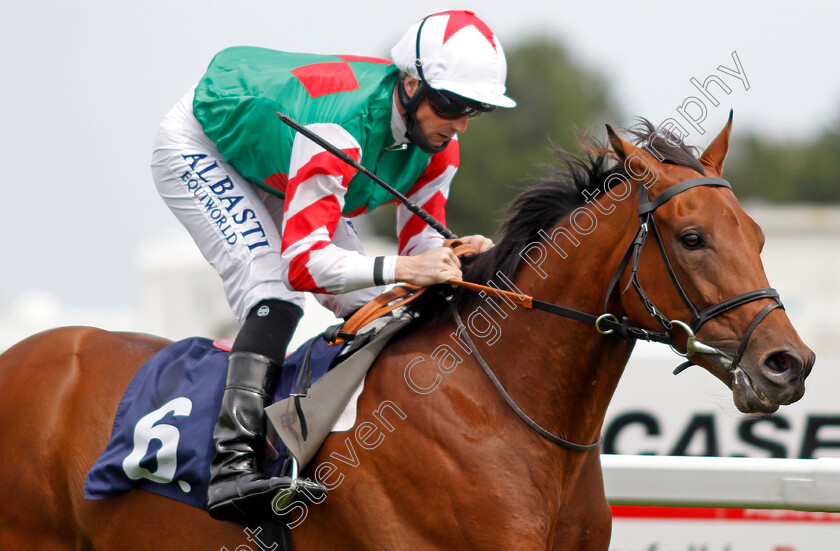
column 234, row 223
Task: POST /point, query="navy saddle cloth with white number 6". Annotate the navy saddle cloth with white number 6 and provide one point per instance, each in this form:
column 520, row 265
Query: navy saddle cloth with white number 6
column 162, row 437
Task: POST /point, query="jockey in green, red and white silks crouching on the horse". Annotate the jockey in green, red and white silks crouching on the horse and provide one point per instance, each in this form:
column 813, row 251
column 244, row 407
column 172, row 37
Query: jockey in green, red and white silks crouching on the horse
column 269, row 208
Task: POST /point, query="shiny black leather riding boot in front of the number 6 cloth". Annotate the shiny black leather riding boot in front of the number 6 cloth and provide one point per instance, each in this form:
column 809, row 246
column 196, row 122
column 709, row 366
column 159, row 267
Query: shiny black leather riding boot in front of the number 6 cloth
column 238, row 489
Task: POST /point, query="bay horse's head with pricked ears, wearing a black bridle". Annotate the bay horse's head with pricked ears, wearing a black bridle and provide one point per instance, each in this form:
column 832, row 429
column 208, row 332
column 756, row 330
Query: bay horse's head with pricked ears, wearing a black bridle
column 707, row 272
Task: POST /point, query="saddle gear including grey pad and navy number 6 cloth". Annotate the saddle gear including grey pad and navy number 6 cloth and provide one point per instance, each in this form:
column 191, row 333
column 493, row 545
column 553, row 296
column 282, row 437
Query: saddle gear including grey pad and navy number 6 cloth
column 161, row 439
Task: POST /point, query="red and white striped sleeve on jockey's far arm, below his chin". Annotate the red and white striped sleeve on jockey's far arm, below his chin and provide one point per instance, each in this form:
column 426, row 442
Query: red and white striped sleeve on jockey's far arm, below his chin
column 430, row 192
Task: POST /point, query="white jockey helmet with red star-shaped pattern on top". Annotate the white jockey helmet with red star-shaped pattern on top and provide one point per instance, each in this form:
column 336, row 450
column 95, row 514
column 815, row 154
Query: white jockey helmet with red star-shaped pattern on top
column 457, row 52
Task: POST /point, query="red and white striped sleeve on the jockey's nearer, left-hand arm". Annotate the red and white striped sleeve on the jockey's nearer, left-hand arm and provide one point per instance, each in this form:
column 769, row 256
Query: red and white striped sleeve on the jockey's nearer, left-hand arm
column 314, row 200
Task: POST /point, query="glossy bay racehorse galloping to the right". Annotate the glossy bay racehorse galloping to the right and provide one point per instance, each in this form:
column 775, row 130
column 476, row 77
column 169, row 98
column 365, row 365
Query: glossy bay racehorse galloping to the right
column 646, row 240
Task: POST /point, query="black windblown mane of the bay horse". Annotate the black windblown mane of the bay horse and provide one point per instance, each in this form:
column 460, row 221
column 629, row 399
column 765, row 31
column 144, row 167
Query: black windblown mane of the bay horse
column 547, row 200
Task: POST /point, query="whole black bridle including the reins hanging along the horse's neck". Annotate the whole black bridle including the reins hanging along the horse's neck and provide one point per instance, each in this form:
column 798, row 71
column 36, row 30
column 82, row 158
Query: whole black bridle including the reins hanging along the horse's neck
column 609, row 324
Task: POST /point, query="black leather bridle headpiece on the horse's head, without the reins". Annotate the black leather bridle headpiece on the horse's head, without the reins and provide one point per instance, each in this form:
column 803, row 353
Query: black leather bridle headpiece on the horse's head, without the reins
column 647, row 225
